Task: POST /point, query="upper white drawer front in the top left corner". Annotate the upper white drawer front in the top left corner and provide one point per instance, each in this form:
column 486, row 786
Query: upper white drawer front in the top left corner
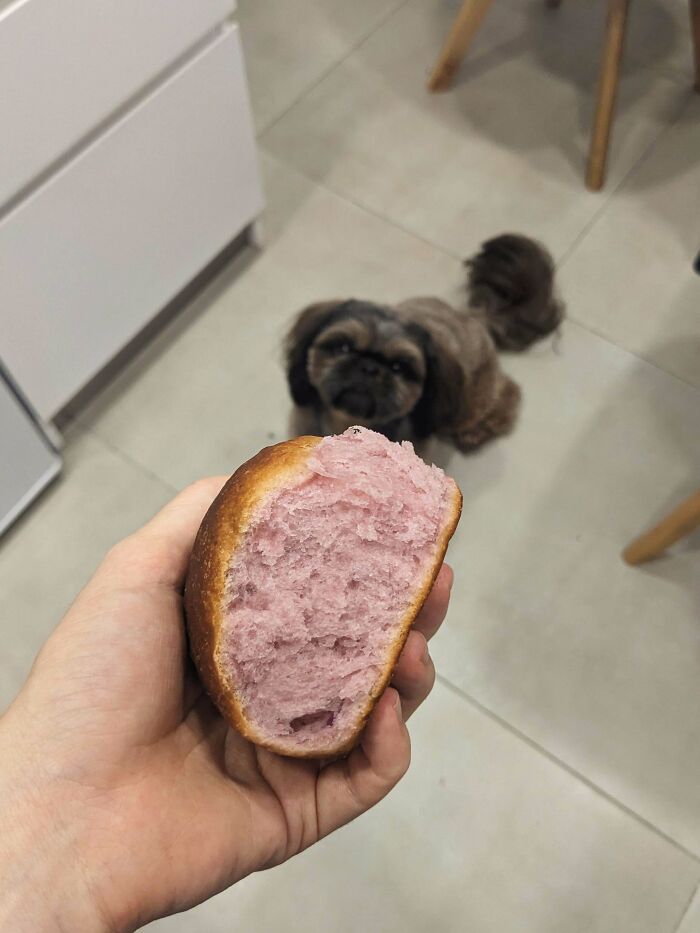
column 66, row 65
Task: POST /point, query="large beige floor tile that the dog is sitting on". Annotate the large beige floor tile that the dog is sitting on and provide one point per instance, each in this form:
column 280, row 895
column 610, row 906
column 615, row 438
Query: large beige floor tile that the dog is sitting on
column 597, row 662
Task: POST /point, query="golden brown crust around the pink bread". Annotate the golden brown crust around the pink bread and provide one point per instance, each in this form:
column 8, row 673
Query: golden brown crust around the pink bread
column 221, row 533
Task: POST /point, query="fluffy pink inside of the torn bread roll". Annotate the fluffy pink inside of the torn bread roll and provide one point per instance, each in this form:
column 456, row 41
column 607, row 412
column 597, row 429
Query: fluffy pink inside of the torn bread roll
column 316, row 595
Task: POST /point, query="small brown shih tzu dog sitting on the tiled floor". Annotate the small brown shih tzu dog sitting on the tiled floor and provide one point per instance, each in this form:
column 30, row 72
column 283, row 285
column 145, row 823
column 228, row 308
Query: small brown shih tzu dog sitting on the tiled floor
column 422, row 368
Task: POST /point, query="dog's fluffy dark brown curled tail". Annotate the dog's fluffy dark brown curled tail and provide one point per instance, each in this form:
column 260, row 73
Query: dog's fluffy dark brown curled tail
column 511, row 285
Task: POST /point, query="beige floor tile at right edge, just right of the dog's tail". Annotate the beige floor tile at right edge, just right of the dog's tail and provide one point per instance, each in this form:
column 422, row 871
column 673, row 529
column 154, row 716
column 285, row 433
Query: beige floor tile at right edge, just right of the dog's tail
column 631, row 277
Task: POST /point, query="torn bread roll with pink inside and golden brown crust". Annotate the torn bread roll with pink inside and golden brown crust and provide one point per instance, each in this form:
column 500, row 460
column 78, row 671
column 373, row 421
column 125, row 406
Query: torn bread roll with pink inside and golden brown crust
column 306, row 575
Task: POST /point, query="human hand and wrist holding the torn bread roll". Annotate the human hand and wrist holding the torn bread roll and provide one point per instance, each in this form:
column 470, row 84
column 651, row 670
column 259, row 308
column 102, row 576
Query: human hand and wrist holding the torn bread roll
column 124, row 796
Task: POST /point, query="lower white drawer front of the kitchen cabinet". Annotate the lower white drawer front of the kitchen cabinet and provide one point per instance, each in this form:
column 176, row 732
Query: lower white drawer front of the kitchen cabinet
column 88, row 259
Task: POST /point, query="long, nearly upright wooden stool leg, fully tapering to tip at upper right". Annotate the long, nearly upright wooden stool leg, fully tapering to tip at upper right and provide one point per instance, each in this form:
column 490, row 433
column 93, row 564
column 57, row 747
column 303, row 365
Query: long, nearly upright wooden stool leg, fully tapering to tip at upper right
column 607, row 90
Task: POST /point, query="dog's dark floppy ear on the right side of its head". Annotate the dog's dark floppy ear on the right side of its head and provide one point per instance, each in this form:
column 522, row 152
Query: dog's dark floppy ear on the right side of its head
column 443, row 402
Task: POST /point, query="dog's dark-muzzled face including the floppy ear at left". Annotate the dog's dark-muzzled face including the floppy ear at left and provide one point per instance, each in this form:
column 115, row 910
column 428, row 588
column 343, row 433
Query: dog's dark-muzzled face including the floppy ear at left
column 359, row 360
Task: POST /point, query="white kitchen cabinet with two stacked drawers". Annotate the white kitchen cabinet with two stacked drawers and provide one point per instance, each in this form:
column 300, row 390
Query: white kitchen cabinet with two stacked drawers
column 127, row 164
